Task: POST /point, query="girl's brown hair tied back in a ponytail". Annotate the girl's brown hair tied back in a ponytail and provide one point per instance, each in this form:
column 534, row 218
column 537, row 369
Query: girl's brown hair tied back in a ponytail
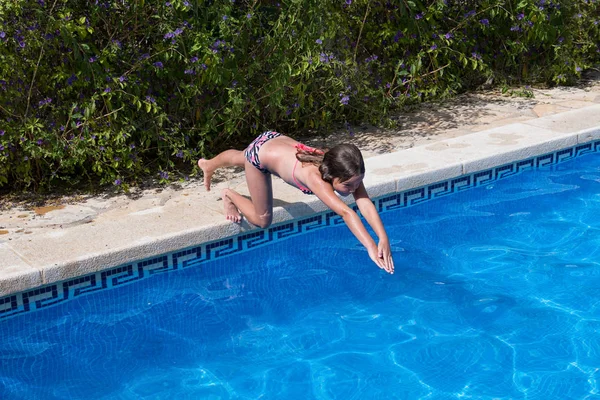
column 343, row 161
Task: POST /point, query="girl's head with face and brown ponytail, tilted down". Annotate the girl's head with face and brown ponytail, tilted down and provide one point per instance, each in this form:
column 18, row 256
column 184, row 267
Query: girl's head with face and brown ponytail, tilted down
column 342, row 166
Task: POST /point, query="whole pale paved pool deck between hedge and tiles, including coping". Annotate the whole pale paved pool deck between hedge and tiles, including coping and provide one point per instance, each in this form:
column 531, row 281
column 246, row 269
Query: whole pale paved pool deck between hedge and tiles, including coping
column 44, row 245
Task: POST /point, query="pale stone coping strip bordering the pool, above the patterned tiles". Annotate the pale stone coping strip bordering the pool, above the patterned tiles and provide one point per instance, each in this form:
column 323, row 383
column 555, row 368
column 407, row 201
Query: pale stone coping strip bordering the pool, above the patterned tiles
column 54, row 255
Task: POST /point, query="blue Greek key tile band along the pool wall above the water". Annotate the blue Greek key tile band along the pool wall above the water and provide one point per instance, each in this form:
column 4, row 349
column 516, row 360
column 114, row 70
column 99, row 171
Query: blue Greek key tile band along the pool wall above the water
column 55, row 293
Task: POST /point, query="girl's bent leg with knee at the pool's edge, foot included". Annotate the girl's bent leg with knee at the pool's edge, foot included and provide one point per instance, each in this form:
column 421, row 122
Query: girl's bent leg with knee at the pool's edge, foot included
column 259, row 210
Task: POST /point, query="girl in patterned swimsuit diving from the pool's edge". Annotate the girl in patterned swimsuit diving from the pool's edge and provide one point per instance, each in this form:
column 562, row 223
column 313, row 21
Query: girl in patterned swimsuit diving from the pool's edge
column 313, row 171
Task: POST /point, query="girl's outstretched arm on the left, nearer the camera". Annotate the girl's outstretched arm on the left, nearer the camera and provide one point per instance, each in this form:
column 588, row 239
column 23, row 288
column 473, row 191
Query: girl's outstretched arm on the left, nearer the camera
column 325, row 193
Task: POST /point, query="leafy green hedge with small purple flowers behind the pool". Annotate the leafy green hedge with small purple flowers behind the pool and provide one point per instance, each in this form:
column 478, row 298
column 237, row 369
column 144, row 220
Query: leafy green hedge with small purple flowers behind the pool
column 111, row 91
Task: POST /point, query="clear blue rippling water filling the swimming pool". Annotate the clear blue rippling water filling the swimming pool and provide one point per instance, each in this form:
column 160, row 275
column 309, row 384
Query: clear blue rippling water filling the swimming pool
column 496, row 295
